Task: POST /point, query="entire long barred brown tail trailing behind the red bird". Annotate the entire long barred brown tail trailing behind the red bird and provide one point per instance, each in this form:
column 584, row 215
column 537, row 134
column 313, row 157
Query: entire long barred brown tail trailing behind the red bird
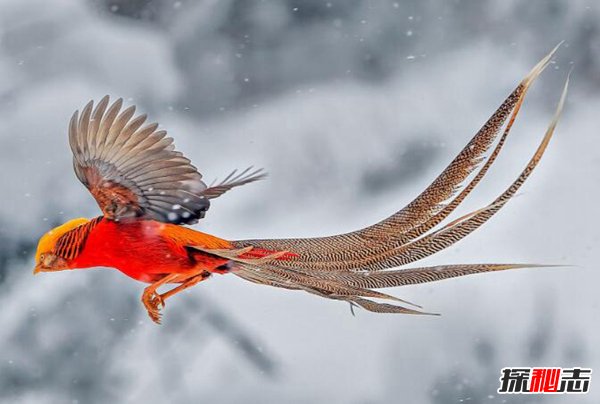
column 348, row 267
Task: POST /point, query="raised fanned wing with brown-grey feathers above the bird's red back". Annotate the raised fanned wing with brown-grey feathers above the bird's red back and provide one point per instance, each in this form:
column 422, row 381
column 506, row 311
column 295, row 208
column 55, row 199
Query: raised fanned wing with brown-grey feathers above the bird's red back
column 133, row 170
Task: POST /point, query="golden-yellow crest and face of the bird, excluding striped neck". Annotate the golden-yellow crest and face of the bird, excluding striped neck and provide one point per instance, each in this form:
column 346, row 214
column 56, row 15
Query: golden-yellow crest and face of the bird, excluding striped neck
column 46, row 257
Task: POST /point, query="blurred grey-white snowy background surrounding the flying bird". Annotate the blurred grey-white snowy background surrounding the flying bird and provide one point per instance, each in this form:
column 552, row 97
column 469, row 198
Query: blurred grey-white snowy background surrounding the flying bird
column 353, row 107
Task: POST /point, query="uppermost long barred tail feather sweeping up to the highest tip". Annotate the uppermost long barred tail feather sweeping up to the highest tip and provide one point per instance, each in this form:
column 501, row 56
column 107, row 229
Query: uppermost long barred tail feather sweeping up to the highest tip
column 427, row 210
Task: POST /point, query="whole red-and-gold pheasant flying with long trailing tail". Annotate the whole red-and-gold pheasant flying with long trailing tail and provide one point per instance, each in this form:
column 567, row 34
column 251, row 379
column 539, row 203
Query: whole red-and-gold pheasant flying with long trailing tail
column 148, row 192
